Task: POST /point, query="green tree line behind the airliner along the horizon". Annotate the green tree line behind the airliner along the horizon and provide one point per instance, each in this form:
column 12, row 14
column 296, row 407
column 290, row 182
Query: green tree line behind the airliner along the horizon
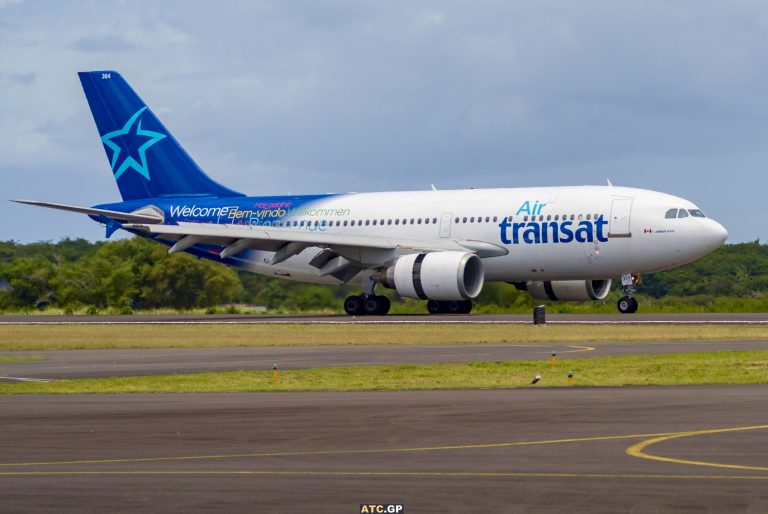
column 137, row 274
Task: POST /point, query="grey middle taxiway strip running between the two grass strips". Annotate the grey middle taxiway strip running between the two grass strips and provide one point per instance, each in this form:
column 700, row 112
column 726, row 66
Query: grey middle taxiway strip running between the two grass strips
column 68, row 364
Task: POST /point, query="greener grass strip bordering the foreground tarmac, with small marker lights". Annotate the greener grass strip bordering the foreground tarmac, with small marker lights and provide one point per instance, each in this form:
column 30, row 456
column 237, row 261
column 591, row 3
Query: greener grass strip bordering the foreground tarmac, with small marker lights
column 726, row 367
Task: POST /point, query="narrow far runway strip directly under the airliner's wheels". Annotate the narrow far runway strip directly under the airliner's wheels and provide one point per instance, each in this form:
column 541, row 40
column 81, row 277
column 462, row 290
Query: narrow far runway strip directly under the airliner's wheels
column 734, row 318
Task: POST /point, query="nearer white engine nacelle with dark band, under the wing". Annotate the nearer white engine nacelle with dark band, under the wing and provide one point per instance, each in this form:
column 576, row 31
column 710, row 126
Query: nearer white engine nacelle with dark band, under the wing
column 436, row 276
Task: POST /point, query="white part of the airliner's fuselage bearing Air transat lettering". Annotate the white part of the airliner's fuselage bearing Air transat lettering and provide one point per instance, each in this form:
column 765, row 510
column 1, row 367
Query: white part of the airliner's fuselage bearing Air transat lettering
column 632, row 234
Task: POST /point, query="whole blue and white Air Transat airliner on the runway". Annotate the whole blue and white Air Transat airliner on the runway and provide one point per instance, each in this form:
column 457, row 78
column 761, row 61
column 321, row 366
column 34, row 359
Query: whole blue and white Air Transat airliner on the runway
column 556, row 243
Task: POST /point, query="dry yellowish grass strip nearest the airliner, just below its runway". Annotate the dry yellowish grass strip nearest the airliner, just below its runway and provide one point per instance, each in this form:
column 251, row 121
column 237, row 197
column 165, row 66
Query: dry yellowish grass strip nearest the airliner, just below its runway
column 62, row 337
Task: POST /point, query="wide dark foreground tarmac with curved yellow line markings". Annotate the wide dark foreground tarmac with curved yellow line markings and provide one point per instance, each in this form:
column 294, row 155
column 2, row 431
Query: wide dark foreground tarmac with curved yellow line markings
column 650, row 449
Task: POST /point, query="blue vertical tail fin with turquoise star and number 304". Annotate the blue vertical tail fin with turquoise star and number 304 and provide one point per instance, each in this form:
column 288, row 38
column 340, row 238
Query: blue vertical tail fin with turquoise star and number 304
column 145, row 158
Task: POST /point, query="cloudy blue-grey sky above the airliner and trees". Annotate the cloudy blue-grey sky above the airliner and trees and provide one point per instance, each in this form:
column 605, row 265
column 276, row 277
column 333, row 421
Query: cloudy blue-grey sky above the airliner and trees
column 302, row 97
